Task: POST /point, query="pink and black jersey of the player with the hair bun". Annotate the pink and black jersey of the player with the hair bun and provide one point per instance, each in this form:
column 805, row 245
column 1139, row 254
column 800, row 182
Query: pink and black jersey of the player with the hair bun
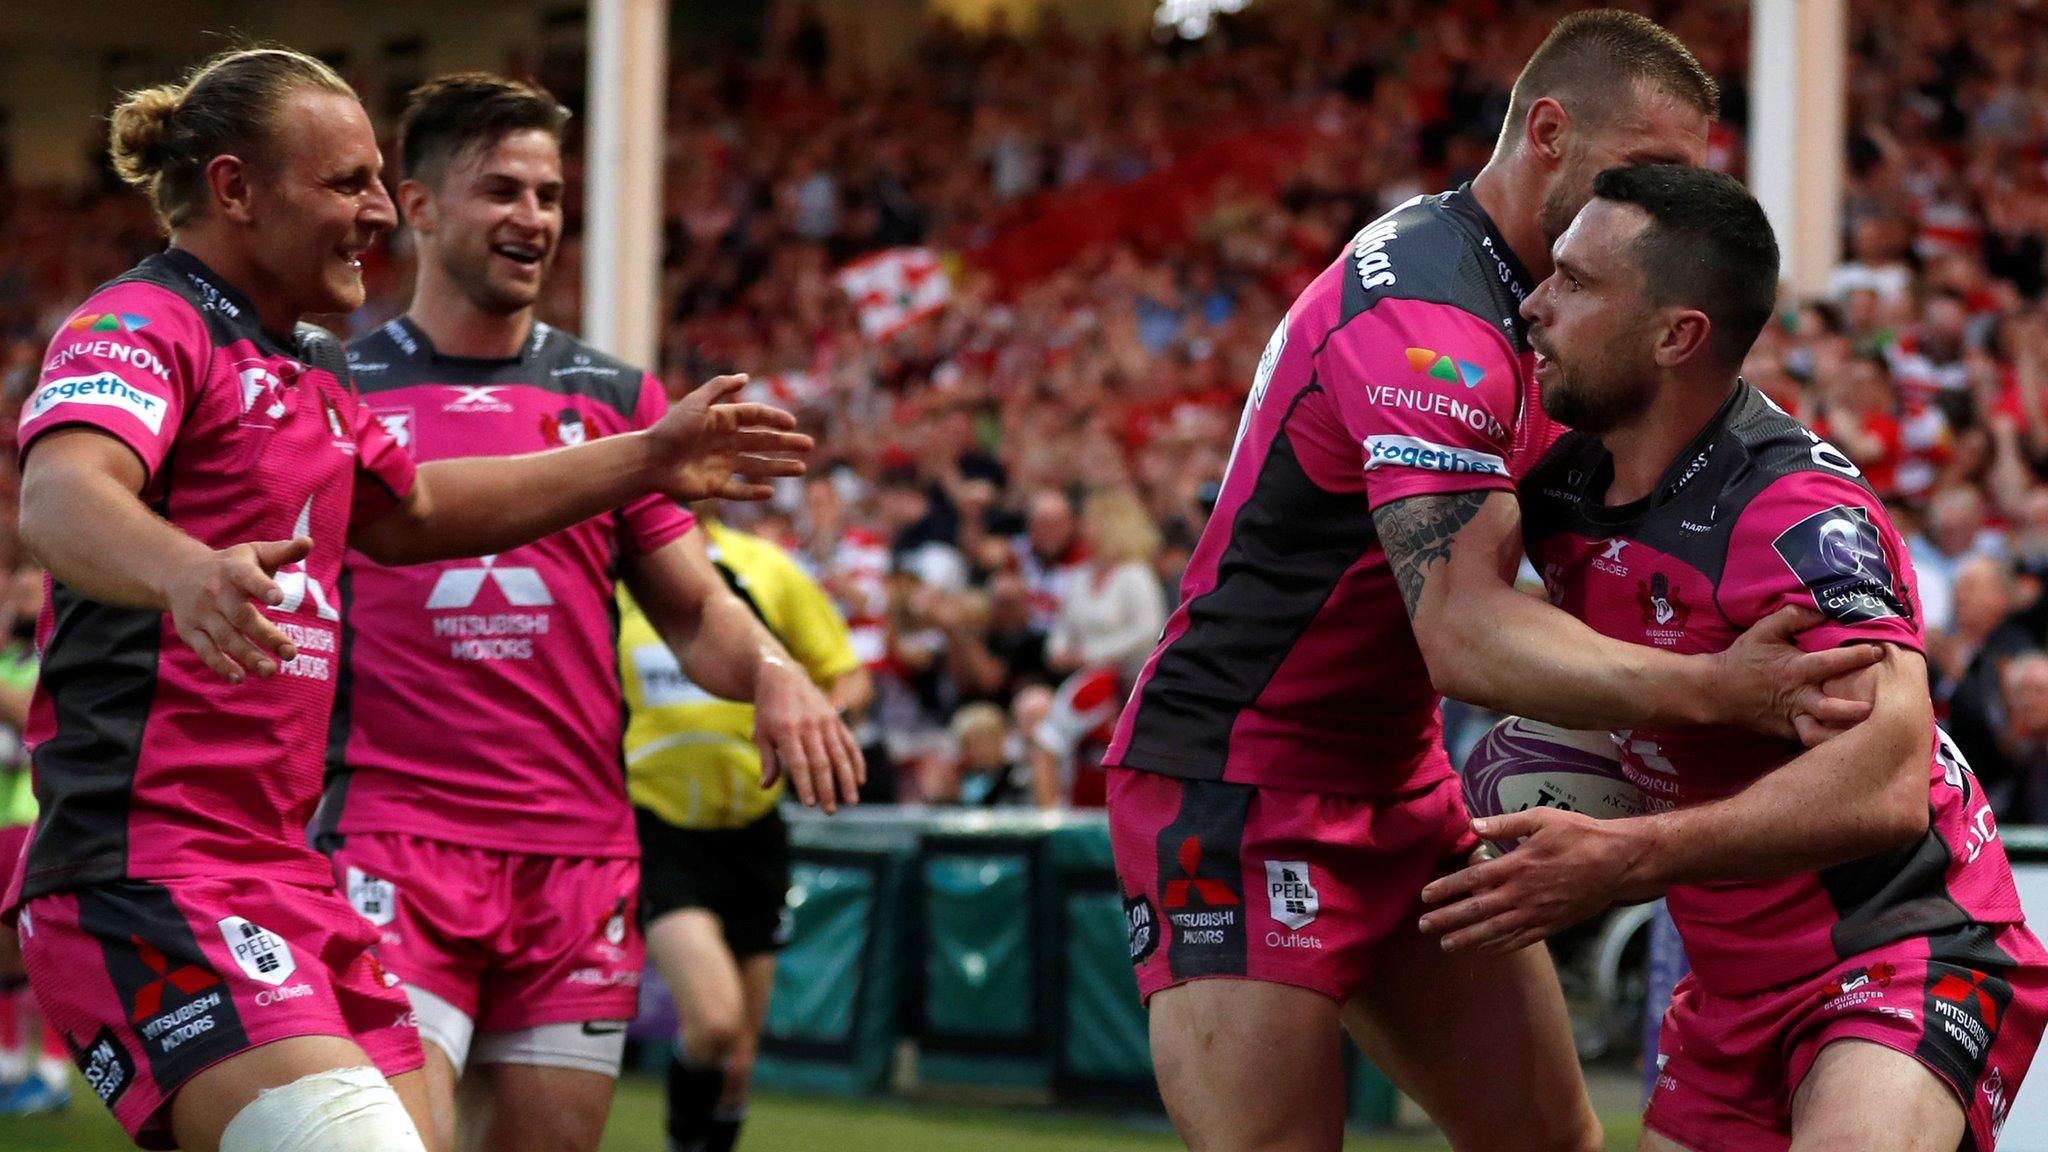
column 148, row 766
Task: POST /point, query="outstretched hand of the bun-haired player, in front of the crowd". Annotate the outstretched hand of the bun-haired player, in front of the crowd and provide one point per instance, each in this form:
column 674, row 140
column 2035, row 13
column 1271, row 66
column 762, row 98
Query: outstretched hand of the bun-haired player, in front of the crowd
column 710, row 446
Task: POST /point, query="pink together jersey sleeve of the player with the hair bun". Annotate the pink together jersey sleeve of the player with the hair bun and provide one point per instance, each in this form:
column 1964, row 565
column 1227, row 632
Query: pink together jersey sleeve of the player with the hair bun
column 128, row 364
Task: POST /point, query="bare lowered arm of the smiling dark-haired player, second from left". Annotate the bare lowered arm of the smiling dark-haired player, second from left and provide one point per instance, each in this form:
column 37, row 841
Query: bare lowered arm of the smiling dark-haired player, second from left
column 726, row 651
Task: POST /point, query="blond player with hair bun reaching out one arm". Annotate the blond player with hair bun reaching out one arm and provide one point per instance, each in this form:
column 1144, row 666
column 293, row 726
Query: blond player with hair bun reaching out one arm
column 196, row 464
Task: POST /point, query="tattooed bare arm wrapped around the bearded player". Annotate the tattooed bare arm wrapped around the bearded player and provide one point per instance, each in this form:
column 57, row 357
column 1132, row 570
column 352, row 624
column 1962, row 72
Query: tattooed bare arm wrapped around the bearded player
column 1455, row 559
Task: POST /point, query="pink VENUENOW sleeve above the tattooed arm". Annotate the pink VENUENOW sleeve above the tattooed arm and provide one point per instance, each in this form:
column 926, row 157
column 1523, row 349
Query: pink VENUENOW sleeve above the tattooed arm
column 1431, row 395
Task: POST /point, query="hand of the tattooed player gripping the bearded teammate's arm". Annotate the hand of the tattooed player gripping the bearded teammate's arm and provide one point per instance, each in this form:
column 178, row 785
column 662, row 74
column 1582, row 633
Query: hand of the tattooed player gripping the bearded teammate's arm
column 1773, row 686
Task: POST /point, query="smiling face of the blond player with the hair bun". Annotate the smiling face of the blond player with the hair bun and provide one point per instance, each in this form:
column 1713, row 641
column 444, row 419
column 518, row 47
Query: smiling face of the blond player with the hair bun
column 321, row 204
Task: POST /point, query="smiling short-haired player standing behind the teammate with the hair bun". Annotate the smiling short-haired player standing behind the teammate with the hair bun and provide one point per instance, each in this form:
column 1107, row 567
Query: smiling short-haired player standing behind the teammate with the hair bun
column 476, row 805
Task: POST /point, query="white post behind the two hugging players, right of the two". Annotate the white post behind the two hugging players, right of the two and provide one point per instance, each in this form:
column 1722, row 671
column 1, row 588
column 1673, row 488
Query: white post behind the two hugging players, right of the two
column 1797, row 130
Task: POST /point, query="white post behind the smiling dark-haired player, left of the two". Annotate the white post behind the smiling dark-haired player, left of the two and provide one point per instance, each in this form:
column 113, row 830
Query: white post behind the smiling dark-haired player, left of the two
column 624, row 177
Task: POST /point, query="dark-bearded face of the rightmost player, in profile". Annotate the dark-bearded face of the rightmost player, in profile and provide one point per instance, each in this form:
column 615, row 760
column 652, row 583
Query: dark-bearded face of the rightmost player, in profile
column 1592, row 323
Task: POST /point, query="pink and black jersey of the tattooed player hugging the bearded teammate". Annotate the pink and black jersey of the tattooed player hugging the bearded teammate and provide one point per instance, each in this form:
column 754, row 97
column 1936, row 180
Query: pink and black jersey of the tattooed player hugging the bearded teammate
column 1402, row 372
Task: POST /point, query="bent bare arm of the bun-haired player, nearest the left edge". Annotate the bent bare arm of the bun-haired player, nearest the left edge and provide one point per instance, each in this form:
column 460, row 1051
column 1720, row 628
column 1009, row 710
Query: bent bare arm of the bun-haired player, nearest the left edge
column 85, row 522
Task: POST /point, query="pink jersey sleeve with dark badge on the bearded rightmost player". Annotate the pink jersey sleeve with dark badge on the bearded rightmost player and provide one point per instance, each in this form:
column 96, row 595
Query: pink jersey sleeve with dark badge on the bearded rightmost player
column 1824, row 542
